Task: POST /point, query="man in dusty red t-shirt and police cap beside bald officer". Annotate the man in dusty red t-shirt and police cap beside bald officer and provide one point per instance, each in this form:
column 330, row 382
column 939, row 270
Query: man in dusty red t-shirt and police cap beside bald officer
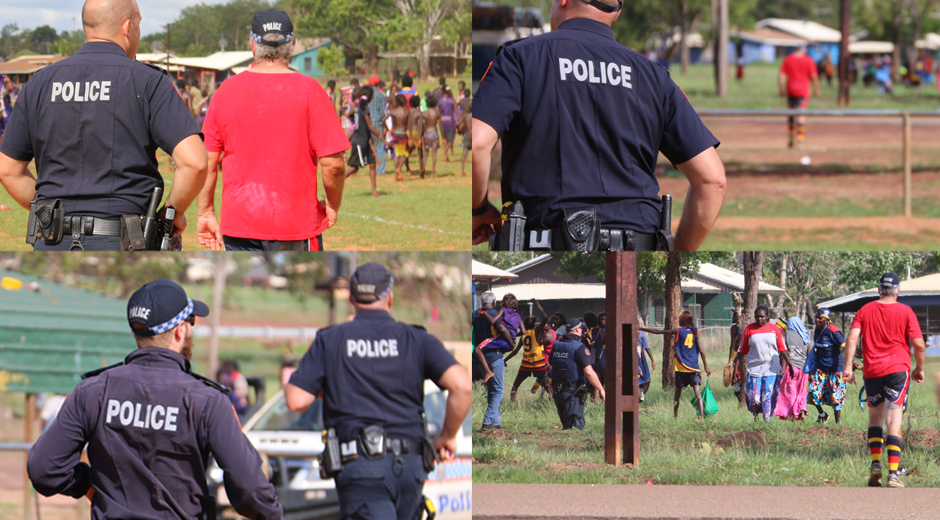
column 272, row 125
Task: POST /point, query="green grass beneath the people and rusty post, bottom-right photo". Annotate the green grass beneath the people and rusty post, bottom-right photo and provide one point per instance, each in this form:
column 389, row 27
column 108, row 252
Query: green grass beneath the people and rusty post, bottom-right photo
column 531, row 447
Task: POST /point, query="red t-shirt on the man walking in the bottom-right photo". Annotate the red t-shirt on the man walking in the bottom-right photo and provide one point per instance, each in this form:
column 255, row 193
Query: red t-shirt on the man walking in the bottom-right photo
column 886, row 329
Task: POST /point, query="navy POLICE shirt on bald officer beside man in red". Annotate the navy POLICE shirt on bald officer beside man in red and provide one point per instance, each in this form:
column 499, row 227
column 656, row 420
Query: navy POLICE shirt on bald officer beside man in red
column 93, row 122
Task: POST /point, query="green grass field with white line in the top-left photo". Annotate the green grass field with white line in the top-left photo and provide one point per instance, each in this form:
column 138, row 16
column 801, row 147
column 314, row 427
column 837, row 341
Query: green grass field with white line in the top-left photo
column 415, row 215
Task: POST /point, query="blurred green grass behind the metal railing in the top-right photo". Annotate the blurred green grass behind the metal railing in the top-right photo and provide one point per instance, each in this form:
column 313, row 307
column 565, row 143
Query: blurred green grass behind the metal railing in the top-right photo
column 758, row 90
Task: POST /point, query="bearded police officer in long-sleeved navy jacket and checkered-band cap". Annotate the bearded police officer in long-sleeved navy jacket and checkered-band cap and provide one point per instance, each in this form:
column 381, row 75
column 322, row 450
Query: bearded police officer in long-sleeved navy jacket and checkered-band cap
column 150, row 426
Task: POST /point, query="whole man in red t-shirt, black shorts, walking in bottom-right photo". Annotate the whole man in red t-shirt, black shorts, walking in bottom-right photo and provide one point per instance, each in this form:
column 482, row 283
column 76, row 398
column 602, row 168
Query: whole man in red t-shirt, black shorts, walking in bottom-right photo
column 888, row 328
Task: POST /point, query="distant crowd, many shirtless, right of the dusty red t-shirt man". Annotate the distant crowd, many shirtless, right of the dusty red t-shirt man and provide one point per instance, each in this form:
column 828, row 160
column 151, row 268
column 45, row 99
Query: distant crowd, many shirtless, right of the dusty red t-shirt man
column 393, row 120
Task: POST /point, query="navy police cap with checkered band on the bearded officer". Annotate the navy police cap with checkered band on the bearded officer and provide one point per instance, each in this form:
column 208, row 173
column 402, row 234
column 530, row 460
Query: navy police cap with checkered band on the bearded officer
column 159, row 306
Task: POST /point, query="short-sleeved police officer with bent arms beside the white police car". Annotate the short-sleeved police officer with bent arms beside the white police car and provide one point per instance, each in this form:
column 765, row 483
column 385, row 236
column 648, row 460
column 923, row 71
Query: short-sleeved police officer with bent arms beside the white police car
column 371, row 373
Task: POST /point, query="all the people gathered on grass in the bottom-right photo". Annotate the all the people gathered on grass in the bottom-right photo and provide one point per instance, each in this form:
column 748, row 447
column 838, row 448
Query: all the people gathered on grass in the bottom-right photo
column 779, row 366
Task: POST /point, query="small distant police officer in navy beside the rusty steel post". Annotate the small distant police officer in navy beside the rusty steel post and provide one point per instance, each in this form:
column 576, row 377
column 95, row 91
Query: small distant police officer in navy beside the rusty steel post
column 571, row 373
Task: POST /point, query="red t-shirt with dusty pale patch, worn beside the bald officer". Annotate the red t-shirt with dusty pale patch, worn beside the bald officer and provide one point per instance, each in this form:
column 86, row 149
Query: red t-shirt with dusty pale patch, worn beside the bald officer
column 272, row 129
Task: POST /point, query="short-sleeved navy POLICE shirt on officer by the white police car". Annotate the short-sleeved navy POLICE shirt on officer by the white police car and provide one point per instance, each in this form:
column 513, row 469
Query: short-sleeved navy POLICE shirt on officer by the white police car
column 371, row 372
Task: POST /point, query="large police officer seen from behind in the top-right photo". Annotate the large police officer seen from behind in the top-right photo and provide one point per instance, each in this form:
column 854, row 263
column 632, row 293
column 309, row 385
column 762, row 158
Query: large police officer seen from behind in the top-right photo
column 582, row 121
